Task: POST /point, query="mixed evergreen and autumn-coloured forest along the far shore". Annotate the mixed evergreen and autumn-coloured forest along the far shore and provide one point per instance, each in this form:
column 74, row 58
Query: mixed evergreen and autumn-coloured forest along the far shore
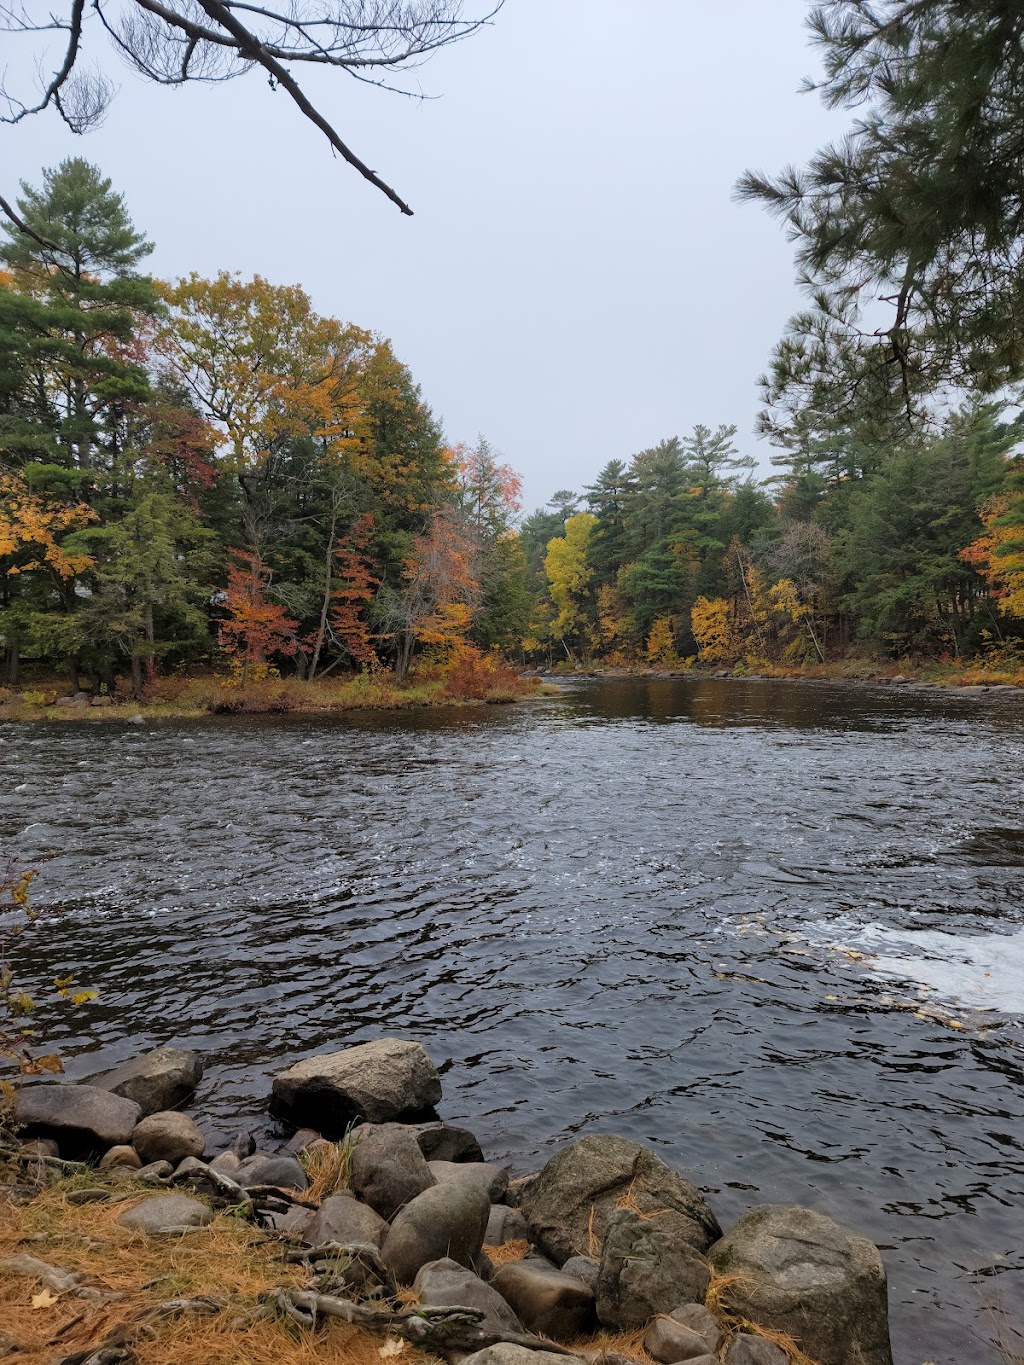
column 210, row 480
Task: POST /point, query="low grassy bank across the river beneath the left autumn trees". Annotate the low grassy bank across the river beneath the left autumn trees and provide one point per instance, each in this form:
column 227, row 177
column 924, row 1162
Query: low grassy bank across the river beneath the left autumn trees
column 195, row 698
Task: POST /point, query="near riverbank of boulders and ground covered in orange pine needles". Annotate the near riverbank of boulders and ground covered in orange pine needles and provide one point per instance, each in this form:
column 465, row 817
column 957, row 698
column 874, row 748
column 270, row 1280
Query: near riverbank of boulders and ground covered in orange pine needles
column 380, row 1231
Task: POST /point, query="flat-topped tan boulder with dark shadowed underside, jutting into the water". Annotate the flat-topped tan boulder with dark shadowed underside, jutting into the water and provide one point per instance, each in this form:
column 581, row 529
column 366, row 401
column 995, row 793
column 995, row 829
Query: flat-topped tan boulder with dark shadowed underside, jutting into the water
column 376, row 1082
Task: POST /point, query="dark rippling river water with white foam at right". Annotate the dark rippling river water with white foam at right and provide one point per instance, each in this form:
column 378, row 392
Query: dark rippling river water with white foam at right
column 775, row 930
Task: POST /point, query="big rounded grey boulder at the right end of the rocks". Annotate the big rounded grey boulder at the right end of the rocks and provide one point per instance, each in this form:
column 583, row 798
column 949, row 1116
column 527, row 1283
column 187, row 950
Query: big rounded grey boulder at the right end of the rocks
column 803, row 1274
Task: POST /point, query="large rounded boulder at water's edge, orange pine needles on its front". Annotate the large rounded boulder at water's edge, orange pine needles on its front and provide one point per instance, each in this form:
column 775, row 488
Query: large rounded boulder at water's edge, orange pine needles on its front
column 591, row 1179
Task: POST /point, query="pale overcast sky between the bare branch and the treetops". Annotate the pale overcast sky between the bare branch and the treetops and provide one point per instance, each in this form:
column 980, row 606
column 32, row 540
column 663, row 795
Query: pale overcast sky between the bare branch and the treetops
column 577, row 282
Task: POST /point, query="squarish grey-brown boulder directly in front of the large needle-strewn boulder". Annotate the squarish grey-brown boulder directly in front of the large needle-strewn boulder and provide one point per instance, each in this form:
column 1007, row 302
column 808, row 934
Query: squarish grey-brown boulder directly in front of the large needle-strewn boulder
column 648, row 1266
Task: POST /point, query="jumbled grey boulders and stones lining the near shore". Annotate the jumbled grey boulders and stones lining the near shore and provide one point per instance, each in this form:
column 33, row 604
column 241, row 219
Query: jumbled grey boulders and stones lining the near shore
column 401, row 1225
